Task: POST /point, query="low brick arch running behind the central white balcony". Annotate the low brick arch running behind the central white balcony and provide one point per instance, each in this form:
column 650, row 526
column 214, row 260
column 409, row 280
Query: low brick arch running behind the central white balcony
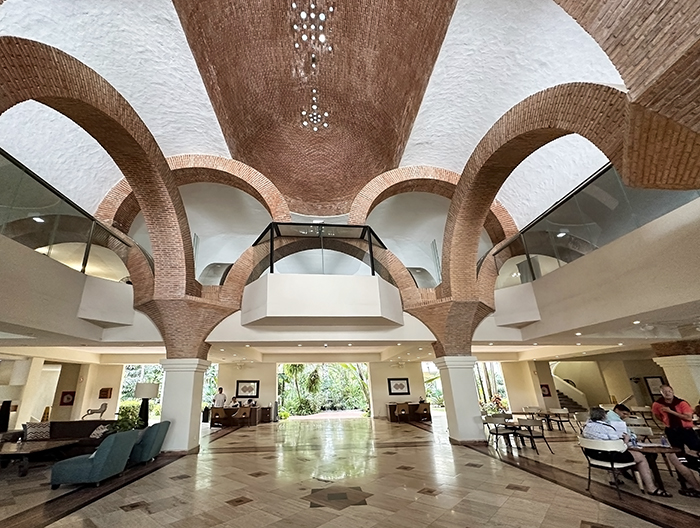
column 255, row 260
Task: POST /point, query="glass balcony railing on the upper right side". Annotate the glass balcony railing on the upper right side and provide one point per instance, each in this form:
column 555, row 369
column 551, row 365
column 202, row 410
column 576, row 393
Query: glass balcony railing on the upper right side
column 599, row 211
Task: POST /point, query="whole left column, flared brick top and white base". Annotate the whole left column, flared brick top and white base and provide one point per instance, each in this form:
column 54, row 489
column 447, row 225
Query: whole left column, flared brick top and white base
column 184, row 324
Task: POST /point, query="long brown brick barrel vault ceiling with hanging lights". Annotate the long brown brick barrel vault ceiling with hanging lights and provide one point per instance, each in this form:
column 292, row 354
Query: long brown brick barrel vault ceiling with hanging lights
column 370, row 75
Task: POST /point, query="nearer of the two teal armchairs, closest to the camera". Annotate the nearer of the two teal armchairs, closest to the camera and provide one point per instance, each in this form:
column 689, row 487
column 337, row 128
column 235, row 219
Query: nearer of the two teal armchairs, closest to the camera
column 108, row 460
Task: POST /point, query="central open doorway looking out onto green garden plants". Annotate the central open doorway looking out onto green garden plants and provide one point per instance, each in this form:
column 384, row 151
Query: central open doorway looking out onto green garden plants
column 307, row 389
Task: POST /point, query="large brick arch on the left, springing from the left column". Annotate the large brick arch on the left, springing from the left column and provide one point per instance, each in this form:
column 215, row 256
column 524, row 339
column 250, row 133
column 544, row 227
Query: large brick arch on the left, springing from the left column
column 32, row 70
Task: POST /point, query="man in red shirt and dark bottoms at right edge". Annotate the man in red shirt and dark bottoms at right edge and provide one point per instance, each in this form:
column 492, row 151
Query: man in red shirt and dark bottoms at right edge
column 677, row 416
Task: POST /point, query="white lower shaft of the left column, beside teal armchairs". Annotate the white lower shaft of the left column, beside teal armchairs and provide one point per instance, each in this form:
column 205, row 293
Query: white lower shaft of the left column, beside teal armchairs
column 183, row 381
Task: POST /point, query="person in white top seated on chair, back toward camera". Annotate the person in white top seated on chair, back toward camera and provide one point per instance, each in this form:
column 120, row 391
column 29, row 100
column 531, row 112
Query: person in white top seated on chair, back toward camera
column 597, row 428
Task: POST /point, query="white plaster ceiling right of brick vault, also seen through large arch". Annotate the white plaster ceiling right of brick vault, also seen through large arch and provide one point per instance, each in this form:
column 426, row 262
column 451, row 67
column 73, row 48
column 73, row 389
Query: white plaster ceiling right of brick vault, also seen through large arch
column 495, row 54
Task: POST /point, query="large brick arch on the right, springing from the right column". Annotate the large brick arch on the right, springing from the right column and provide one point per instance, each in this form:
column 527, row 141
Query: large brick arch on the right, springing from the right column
column 596, row 112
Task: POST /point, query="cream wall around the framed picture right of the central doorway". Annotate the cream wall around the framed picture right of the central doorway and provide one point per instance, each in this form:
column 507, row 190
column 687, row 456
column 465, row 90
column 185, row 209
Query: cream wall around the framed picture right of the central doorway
column 379, row 373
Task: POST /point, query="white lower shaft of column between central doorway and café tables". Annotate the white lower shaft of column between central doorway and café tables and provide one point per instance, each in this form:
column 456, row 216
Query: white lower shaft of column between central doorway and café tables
column 461, row 398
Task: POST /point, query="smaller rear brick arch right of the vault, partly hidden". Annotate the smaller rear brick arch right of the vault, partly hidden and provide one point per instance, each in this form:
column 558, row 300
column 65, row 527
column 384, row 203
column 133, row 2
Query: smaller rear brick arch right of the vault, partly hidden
column 499, row 224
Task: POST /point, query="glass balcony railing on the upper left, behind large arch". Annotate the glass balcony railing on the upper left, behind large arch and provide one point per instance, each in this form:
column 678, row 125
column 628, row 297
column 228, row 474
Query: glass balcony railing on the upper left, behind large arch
column 38, row 216
